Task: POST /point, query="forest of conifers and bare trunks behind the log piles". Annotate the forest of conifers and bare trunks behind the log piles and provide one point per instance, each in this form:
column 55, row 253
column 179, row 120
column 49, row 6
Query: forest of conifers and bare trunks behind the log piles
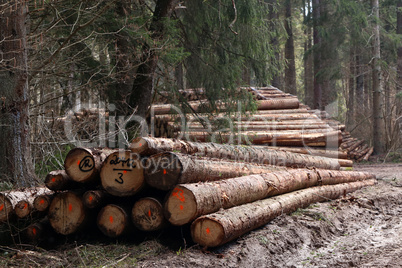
column 342, row 56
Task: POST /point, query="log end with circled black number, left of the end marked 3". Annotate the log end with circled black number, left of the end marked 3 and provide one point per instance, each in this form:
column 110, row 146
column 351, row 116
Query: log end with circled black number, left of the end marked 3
column 80, row 165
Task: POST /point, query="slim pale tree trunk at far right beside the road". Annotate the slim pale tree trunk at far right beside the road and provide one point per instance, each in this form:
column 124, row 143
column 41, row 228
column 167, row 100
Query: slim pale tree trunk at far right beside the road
column 378, row 102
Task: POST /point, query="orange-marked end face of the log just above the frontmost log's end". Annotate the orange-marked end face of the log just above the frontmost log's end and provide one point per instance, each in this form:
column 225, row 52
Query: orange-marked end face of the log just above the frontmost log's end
column 180, row 206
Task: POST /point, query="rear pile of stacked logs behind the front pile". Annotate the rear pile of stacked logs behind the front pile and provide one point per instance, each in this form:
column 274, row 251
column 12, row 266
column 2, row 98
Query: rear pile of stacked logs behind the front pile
column 280, row 121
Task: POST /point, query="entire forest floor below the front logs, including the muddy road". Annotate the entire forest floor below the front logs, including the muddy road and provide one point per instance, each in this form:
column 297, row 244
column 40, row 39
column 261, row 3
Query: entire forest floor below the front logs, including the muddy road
column 363, row 229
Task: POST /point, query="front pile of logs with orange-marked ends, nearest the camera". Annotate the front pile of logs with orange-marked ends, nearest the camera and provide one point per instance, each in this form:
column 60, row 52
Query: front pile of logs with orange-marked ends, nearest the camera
column 161, row 182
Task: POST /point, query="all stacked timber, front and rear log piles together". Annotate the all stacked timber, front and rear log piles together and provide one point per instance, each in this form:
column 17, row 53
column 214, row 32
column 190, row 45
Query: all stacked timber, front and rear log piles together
column 287, row 156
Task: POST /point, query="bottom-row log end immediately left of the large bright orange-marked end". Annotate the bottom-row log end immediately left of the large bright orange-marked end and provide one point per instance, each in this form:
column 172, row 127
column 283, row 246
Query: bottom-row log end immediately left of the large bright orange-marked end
column 147, row 214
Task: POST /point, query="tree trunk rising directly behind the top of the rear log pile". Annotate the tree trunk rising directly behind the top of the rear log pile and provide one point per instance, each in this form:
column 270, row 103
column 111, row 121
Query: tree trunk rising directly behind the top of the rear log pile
column 290, row 70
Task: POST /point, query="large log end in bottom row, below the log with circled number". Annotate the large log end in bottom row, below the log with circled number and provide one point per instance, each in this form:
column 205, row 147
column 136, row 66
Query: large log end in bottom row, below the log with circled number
column 67, row 213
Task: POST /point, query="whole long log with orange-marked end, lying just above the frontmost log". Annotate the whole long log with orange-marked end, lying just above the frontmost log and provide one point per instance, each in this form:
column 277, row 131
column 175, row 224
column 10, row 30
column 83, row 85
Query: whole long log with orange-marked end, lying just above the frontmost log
column 189, row 201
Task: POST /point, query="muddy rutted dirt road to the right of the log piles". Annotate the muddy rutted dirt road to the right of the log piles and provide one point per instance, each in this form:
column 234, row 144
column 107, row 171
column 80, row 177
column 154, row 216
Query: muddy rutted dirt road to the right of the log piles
column 364, row 229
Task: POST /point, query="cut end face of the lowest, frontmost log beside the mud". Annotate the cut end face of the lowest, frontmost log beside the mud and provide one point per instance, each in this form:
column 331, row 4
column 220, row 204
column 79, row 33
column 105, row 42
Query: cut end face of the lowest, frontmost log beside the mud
column 207, row 232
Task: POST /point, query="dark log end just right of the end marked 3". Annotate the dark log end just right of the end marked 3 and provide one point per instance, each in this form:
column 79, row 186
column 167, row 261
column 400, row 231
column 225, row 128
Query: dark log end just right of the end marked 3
column 163, row 171
